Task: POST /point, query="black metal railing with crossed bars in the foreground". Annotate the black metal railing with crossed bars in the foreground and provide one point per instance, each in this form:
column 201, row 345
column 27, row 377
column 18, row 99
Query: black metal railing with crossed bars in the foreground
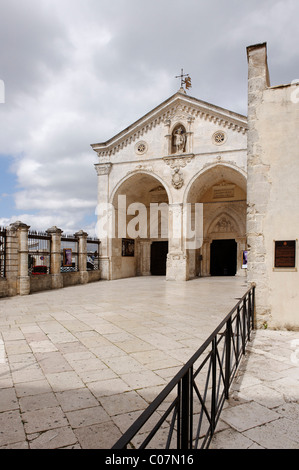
column 187, row 410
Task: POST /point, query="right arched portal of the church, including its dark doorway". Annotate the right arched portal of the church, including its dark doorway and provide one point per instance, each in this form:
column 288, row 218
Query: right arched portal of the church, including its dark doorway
column 222, row 191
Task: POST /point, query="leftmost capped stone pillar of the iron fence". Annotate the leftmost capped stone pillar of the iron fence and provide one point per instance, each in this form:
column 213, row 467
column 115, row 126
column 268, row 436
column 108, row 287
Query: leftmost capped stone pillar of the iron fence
column 23, row 277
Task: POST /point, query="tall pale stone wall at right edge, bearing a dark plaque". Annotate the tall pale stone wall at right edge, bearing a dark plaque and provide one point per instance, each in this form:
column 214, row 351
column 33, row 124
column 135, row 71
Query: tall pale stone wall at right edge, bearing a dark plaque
column 273, row 194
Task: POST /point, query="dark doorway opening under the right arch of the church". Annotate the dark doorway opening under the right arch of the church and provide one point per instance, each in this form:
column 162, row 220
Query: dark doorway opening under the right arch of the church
column 223, row 258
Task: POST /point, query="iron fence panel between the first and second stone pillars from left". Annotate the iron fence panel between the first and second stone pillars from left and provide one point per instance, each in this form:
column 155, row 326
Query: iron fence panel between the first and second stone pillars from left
column 39, row 253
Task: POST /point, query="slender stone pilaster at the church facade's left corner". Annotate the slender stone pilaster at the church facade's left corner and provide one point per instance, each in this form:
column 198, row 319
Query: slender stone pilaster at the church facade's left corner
column 103, row 171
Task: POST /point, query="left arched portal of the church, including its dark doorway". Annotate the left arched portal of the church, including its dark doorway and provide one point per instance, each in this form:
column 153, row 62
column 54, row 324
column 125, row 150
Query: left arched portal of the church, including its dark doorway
column 140, row 244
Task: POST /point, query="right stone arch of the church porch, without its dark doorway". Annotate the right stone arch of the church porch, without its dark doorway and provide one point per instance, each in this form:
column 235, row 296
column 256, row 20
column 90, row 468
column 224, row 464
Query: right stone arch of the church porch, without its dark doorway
column 221, row 188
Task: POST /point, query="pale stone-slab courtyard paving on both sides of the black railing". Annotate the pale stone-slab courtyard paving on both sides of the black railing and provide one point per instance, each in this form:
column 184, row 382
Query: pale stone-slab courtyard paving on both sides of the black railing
column 78, row 365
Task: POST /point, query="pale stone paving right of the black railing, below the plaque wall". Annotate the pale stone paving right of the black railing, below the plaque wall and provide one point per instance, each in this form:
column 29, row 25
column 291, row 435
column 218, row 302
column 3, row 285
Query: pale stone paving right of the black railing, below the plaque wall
column 263, row 409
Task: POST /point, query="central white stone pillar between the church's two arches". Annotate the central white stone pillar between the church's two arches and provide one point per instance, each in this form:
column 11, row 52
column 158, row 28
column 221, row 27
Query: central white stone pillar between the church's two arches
column 177, row 267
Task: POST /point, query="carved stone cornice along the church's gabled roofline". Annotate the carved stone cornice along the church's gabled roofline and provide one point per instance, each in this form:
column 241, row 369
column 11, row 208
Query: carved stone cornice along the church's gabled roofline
column 179, row 106
